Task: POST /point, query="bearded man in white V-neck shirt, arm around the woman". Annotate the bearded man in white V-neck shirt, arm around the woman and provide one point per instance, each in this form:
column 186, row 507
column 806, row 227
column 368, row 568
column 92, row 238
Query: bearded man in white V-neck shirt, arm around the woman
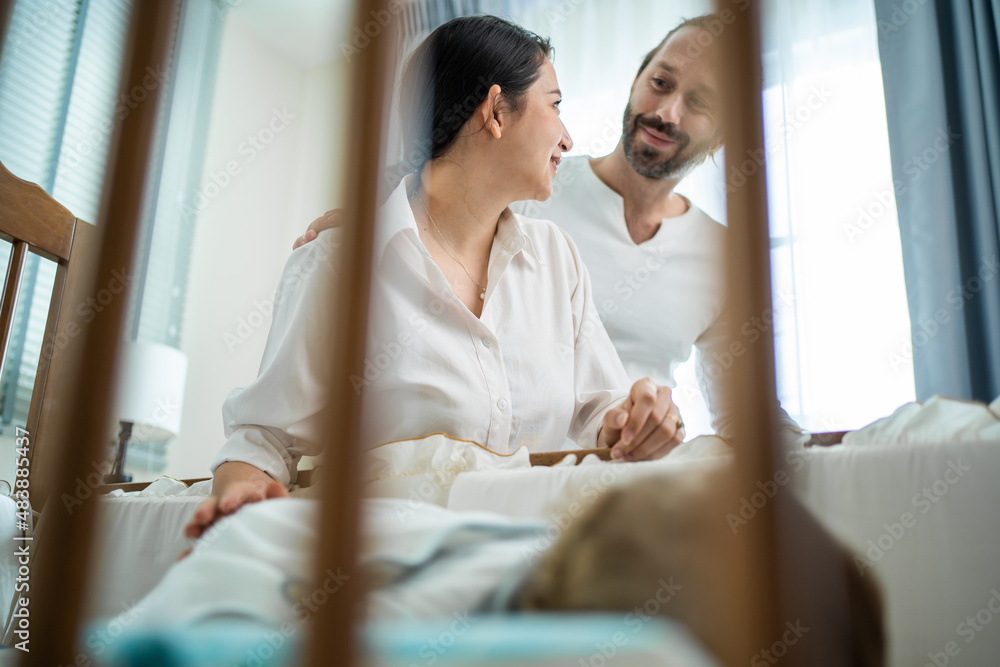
column 656, row 260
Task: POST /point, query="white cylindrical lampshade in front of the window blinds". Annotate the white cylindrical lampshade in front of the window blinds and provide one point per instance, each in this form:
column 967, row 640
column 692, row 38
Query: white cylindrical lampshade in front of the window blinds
column 151, row 390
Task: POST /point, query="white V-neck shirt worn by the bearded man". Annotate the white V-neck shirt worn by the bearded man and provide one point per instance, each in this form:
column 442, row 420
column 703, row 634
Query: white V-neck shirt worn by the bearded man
column 657, row 299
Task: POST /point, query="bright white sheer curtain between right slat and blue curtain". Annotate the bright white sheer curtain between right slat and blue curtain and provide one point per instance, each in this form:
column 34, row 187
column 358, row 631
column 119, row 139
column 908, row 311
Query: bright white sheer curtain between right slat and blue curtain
column 842, row 322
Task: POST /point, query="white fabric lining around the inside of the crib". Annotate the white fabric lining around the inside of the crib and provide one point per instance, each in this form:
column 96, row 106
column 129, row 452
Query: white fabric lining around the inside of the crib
column 918, row 516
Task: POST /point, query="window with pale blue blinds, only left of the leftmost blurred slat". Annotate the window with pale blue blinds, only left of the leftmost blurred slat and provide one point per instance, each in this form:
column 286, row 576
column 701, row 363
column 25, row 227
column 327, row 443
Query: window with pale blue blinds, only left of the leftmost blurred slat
column 59, row 75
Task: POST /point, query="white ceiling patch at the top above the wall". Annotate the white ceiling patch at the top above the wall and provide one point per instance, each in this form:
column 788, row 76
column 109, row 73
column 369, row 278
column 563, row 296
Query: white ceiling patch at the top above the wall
column 308, row 32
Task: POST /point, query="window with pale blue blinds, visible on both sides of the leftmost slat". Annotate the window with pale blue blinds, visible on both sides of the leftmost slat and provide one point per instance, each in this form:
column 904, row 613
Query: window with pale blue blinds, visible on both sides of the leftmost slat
column 59, row 102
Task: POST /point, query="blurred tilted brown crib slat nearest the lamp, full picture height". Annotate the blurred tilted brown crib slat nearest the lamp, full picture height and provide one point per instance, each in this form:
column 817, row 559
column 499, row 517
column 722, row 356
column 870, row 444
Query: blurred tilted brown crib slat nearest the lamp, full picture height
column 58, row 579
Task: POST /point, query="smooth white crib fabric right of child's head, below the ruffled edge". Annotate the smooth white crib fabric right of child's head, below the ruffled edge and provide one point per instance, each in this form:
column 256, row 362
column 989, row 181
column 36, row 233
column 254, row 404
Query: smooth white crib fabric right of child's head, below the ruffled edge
column 941, row 568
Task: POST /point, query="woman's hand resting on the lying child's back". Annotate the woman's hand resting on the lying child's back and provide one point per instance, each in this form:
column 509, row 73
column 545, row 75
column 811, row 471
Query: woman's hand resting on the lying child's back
column 234, row 485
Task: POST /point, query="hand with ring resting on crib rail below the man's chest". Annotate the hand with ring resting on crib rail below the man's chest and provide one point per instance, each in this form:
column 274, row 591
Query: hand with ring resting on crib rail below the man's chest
column 647, row 425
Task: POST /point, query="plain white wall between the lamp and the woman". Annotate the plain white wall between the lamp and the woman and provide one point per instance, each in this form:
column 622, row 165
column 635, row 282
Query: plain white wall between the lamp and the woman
column 244, row 235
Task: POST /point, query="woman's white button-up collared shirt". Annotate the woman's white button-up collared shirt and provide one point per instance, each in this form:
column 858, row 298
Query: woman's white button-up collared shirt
column 535, row 368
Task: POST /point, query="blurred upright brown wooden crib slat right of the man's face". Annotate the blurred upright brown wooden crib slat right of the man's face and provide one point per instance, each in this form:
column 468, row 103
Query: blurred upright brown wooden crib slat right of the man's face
column 751, row 380
